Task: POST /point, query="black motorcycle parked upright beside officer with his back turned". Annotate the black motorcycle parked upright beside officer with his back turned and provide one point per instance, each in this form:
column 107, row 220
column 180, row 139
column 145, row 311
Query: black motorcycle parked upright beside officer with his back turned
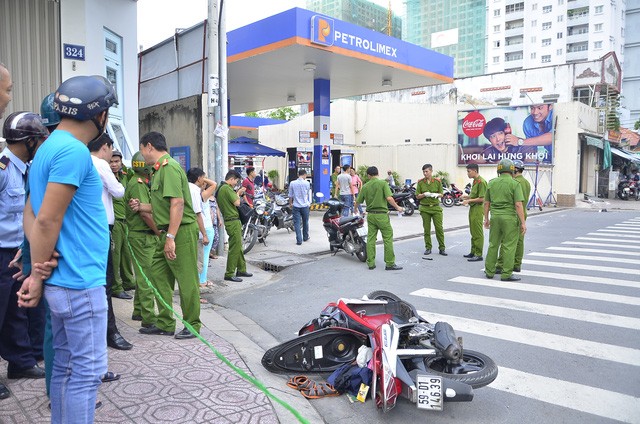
column 344, row 232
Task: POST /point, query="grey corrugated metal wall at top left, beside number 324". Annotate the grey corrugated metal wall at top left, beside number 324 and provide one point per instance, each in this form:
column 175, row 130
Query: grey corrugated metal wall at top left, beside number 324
column 30, row 47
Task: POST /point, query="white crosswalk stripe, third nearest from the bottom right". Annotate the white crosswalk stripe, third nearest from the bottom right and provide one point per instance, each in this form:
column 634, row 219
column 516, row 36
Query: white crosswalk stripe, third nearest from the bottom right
column 535, row 308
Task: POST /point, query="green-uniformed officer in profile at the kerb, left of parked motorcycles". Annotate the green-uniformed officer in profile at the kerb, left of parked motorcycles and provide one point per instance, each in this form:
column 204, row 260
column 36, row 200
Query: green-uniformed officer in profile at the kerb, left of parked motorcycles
column 228, row 202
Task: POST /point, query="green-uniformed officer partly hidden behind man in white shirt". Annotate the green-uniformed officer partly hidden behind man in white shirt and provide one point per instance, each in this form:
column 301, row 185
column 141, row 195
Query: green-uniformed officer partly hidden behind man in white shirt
column 122, row 269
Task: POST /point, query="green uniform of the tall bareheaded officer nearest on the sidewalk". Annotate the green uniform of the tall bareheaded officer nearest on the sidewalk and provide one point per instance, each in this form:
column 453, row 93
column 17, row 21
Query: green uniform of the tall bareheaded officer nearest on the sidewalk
column 170, row 181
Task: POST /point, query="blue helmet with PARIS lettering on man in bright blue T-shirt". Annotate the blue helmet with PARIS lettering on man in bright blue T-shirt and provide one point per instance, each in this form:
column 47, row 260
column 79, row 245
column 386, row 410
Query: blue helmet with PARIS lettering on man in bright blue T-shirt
column 84, row 97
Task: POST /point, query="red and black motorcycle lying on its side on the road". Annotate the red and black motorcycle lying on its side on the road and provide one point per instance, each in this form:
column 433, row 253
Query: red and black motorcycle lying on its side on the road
column 413, row 358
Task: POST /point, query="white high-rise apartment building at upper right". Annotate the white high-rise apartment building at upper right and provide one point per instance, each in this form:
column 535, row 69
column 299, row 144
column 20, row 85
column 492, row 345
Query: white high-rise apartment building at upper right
column 535, row 33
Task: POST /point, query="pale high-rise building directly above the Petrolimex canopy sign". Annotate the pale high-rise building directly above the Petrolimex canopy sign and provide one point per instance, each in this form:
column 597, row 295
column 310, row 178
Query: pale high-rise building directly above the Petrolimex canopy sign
column 360, row 12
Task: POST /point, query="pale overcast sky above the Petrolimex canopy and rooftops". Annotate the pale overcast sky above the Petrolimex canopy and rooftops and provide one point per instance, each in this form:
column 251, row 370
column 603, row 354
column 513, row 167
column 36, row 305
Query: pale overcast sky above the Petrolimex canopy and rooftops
column 158, row 19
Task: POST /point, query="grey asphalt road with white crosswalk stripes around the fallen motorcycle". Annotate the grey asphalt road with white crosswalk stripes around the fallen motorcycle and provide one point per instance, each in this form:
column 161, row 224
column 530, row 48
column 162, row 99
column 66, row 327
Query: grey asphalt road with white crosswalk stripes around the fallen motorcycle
column 566, row 338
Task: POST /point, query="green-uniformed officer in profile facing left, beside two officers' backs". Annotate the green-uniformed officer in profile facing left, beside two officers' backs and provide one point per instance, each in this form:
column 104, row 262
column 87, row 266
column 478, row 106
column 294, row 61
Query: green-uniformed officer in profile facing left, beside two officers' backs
column 474, row 200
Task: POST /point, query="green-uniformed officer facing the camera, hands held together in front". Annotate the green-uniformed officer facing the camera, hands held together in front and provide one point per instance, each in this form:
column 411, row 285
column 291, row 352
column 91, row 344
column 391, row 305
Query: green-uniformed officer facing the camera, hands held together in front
column 429, row 191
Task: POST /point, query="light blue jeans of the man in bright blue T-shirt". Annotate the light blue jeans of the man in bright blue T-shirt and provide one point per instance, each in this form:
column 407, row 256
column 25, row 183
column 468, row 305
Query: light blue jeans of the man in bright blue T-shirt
column 79, row 326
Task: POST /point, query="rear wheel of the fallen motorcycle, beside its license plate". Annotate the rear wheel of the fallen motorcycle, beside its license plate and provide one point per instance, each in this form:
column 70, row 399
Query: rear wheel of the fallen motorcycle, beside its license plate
column 476, row 369
